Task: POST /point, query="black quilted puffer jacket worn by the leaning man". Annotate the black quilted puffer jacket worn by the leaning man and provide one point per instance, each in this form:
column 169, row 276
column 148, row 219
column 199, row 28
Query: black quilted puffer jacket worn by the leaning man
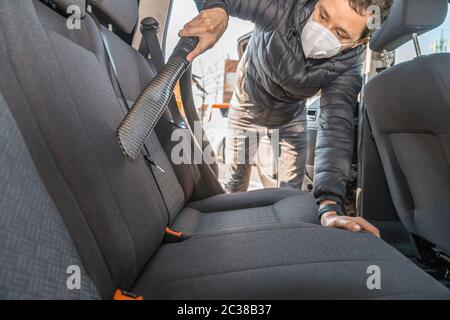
column 278, row 79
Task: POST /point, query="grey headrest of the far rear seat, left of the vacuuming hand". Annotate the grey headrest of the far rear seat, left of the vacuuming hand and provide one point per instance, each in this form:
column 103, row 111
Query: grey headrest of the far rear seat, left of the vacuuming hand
column 121, row 13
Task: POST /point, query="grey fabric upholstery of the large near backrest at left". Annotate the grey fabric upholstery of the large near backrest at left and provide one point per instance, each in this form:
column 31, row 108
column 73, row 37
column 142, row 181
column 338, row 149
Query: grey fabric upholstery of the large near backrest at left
column 77, row 112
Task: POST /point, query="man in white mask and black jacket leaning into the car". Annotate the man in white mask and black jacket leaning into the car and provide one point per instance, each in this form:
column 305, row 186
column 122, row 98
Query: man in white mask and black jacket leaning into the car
column 298, row 48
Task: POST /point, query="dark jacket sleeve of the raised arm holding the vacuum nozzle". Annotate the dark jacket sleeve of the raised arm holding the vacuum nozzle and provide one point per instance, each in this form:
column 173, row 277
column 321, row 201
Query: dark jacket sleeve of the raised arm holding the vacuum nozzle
column 262, row 13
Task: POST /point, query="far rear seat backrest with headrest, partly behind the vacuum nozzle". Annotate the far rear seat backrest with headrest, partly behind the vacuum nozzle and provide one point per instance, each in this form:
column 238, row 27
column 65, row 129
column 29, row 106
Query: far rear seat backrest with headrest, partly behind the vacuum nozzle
column 134, row 73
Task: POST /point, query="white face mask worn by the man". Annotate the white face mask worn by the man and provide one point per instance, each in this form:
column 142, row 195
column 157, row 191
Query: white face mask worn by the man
column 319, row 42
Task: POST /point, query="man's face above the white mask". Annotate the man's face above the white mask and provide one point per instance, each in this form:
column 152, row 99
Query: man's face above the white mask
column 342, row 20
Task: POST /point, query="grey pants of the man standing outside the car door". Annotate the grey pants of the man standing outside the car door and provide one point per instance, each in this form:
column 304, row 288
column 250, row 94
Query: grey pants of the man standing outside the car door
column 288, row 143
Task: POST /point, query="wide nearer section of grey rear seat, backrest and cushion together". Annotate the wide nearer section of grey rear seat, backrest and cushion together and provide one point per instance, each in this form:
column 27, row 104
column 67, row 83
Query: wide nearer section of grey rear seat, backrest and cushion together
column 57, row 88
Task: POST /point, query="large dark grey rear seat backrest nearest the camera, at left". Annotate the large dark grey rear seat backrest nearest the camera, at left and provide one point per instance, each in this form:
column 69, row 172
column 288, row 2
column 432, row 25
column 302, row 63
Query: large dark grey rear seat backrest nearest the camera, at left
column 56, row 82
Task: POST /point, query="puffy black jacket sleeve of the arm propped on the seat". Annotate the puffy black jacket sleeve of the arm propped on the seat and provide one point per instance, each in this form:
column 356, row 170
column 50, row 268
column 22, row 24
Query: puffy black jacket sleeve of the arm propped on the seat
column 335, row 140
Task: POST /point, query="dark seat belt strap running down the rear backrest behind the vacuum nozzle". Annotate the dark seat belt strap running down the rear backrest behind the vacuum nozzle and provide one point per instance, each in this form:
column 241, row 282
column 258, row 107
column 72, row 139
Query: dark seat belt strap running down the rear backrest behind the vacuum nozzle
column 145, row 152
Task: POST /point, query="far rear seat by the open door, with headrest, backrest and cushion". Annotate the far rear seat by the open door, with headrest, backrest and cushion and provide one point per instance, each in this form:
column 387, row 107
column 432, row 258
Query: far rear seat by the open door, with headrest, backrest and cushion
column 222, row 212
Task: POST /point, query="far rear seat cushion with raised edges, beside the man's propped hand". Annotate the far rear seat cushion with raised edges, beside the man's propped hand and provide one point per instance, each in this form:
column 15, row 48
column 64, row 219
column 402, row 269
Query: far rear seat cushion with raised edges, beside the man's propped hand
column 245, row 210
